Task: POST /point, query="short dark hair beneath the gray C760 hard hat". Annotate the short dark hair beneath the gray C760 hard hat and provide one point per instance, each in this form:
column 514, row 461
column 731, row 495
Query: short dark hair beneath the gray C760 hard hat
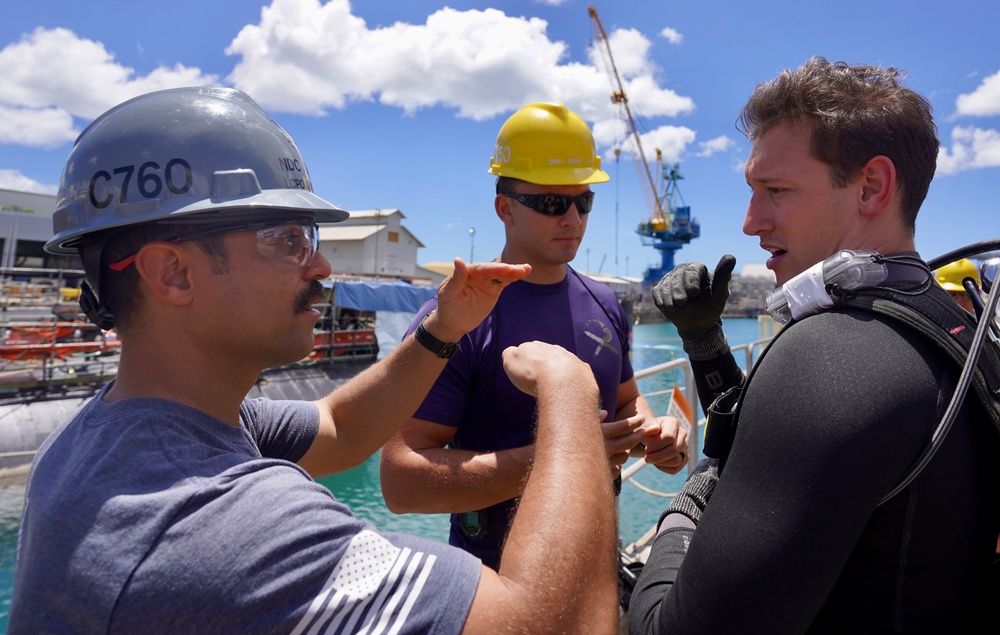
column 119, row 289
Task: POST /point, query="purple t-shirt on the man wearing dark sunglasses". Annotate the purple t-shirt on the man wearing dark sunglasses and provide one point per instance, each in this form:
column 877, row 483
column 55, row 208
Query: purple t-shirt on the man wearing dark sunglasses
column 474, row 394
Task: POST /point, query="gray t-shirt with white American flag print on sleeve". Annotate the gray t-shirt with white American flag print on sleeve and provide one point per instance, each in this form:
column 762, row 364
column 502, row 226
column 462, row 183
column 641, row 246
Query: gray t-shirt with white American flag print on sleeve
column 148, row 516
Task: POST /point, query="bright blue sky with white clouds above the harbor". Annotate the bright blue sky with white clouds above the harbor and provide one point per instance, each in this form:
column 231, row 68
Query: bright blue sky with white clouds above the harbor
column 396, row 104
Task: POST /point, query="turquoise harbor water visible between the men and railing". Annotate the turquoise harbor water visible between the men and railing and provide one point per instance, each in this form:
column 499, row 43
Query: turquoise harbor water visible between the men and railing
column 359, row 488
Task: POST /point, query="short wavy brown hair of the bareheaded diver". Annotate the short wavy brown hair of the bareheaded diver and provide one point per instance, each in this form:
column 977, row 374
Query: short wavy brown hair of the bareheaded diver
column 856, row 112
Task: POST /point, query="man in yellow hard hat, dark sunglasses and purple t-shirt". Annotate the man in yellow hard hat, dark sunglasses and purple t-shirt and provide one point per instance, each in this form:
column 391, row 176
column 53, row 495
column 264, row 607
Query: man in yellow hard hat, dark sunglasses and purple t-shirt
column 468, row 447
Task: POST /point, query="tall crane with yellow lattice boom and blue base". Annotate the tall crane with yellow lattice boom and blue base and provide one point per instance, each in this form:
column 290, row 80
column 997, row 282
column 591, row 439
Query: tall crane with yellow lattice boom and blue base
column 670, row 225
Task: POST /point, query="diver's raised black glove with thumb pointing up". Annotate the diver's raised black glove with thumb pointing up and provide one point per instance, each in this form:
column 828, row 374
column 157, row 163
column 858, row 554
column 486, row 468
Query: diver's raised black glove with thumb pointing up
column 693, row 300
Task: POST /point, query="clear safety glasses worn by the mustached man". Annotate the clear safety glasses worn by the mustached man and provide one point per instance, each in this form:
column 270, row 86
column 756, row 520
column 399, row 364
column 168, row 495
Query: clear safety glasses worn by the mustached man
column 294, row 242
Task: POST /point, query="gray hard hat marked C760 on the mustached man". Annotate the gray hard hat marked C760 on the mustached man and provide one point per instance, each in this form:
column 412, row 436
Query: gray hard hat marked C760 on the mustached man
column 179, row 152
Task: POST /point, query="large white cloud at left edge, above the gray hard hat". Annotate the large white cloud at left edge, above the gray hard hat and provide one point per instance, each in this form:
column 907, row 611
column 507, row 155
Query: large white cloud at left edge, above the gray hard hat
column 49, row 77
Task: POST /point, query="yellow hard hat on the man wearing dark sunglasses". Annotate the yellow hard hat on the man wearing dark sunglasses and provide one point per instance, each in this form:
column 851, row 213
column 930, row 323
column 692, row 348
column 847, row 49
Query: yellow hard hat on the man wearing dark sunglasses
column 547, row 144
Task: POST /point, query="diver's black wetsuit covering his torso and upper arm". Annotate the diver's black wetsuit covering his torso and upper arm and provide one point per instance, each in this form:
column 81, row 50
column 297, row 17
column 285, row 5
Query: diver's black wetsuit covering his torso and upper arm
column 793, row 539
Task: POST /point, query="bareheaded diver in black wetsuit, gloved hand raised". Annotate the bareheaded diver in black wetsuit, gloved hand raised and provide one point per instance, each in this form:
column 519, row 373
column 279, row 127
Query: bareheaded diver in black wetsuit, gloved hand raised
column 791, row 537
